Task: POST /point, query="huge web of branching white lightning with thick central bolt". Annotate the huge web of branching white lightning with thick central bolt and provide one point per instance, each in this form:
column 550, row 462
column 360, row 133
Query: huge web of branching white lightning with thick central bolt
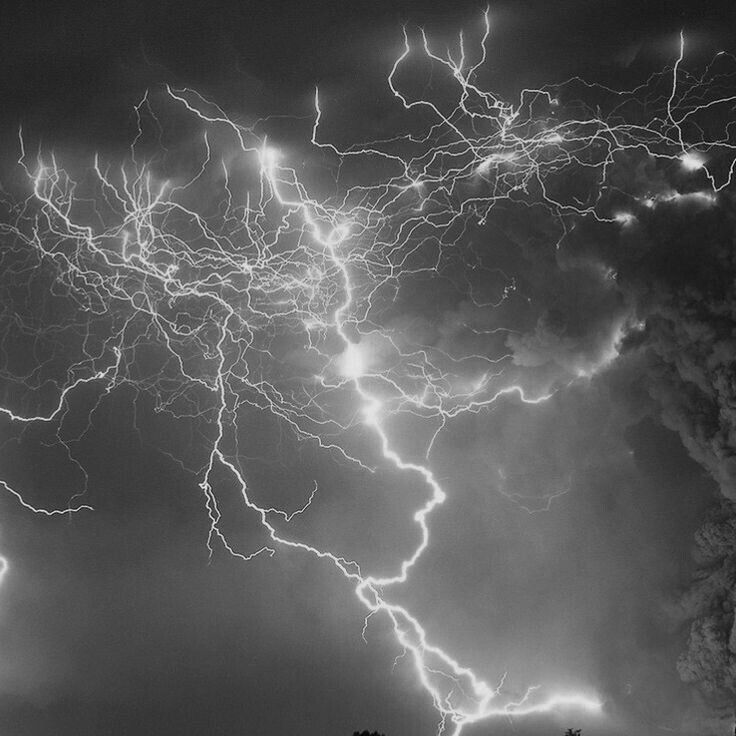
column 211, row 288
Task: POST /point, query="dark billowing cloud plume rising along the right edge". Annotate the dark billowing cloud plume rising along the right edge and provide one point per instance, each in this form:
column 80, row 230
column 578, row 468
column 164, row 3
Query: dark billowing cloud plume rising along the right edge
column 666, row 280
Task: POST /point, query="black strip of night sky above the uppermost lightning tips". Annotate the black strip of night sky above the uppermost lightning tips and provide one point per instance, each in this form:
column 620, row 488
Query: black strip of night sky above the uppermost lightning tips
column 74, row 69
